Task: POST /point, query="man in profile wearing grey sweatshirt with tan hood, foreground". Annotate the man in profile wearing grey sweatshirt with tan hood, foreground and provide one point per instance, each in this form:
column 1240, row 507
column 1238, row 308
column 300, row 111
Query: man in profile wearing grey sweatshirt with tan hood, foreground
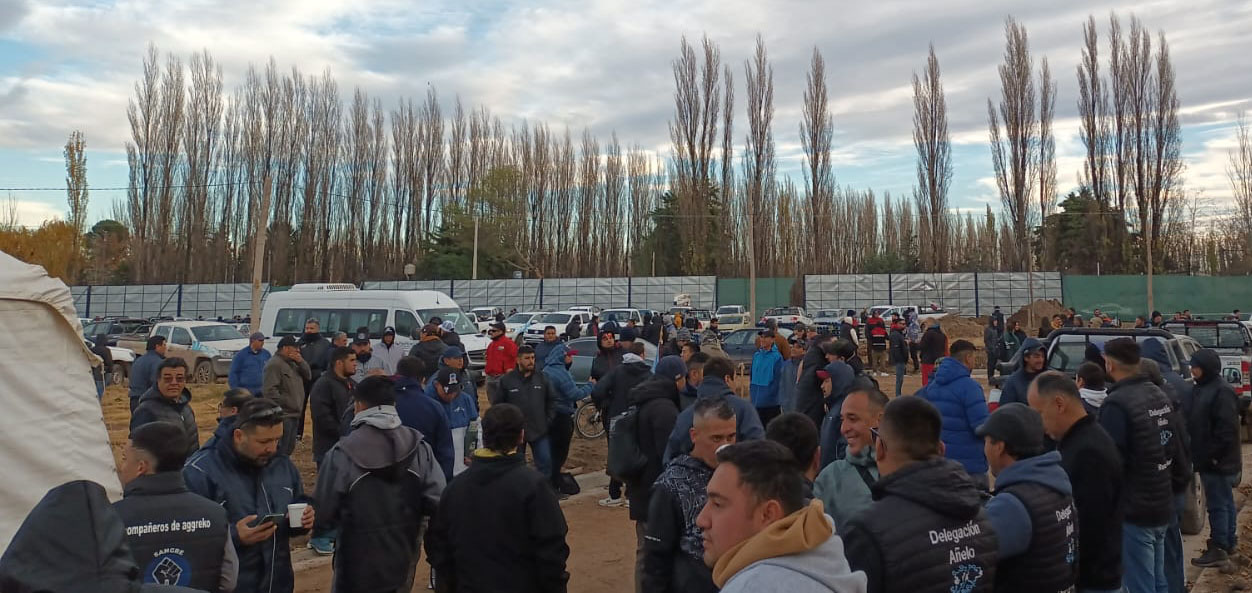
column 758, row 534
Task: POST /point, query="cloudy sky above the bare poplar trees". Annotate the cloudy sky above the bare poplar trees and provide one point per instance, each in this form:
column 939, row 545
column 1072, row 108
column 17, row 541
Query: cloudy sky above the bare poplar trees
column 605, row 66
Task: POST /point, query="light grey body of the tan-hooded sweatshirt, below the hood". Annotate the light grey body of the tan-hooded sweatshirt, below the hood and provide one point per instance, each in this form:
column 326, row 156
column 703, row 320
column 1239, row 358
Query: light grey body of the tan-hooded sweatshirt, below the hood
column 817, row 571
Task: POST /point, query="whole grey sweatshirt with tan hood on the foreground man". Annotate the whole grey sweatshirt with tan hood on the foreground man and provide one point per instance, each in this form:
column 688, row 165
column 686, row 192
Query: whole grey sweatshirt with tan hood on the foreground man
column 798, row 554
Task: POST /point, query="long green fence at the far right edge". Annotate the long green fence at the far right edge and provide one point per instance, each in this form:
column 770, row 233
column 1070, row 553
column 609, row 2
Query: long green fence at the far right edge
column 1127, row 296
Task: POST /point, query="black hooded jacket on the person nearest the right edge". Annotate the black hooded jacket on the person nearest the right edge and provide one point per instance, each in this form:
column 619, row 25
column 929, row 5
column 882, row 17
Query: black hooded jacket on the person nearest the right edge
column 1215, row 420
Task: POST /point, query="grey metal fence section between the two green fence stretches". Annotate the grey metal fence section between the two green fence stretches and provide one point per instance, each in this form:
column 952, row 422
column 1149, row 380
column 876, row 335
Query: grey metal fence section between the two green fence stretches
column 966, row 293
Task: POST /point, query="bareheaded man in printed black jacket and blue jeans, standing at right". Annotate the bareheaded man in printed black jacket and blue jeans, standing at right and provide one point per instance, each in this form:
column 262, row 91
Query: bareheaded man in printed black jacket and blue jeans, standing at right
column 1139, row 418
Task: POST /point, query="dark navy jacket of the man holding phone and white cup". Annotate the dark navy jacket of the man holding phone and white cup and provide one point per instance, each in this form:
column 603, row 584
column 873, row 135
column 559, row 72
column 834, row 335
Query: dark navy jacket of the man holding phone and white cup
column 242, row 489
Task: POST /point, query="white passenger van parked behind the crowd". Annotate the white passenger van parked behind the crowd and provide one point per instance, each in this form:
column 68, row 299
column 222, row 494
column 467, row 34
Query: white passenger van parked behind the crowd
column 345, row 308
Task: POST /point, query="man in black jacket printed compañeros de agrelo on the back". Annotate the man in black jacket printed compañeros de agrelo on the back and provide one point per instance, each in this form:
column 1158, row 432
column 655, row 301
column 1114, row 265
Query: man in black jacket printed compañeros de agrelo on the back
column 156, row 496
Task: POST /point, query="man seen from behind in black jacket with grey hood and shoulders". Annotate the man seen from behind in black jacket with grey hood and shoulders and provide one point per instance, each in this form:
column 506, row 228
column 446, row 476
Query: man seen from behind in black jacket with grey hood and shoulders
column 376, row 487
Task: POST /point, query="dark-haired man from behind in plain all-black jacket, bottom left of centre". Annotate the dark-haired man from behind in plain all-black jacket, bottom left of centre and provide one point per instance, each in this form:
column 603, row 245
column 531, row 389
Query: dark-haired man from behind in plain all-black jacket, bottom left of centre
column 471, row 549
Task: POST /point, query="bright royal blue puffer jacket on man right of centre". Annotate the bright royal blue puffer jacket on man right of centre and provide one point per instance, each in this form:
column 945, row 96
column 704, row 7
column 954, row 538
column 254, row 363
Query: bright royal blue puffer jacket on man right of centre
column 963, row 407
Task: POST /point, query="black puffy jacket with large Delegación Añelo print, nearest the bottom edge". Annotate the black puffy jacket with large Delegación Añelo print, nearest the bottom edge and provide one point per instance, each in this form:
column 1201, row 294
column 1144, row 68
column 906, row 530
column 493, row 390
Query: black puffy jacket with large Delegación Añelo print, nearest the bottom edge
column 926, row 532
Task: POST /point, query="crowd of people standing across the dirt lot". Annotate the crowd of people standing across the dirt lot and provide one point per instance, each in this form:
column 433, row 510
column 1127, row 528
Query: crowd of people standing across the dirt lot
column 816, row 482
